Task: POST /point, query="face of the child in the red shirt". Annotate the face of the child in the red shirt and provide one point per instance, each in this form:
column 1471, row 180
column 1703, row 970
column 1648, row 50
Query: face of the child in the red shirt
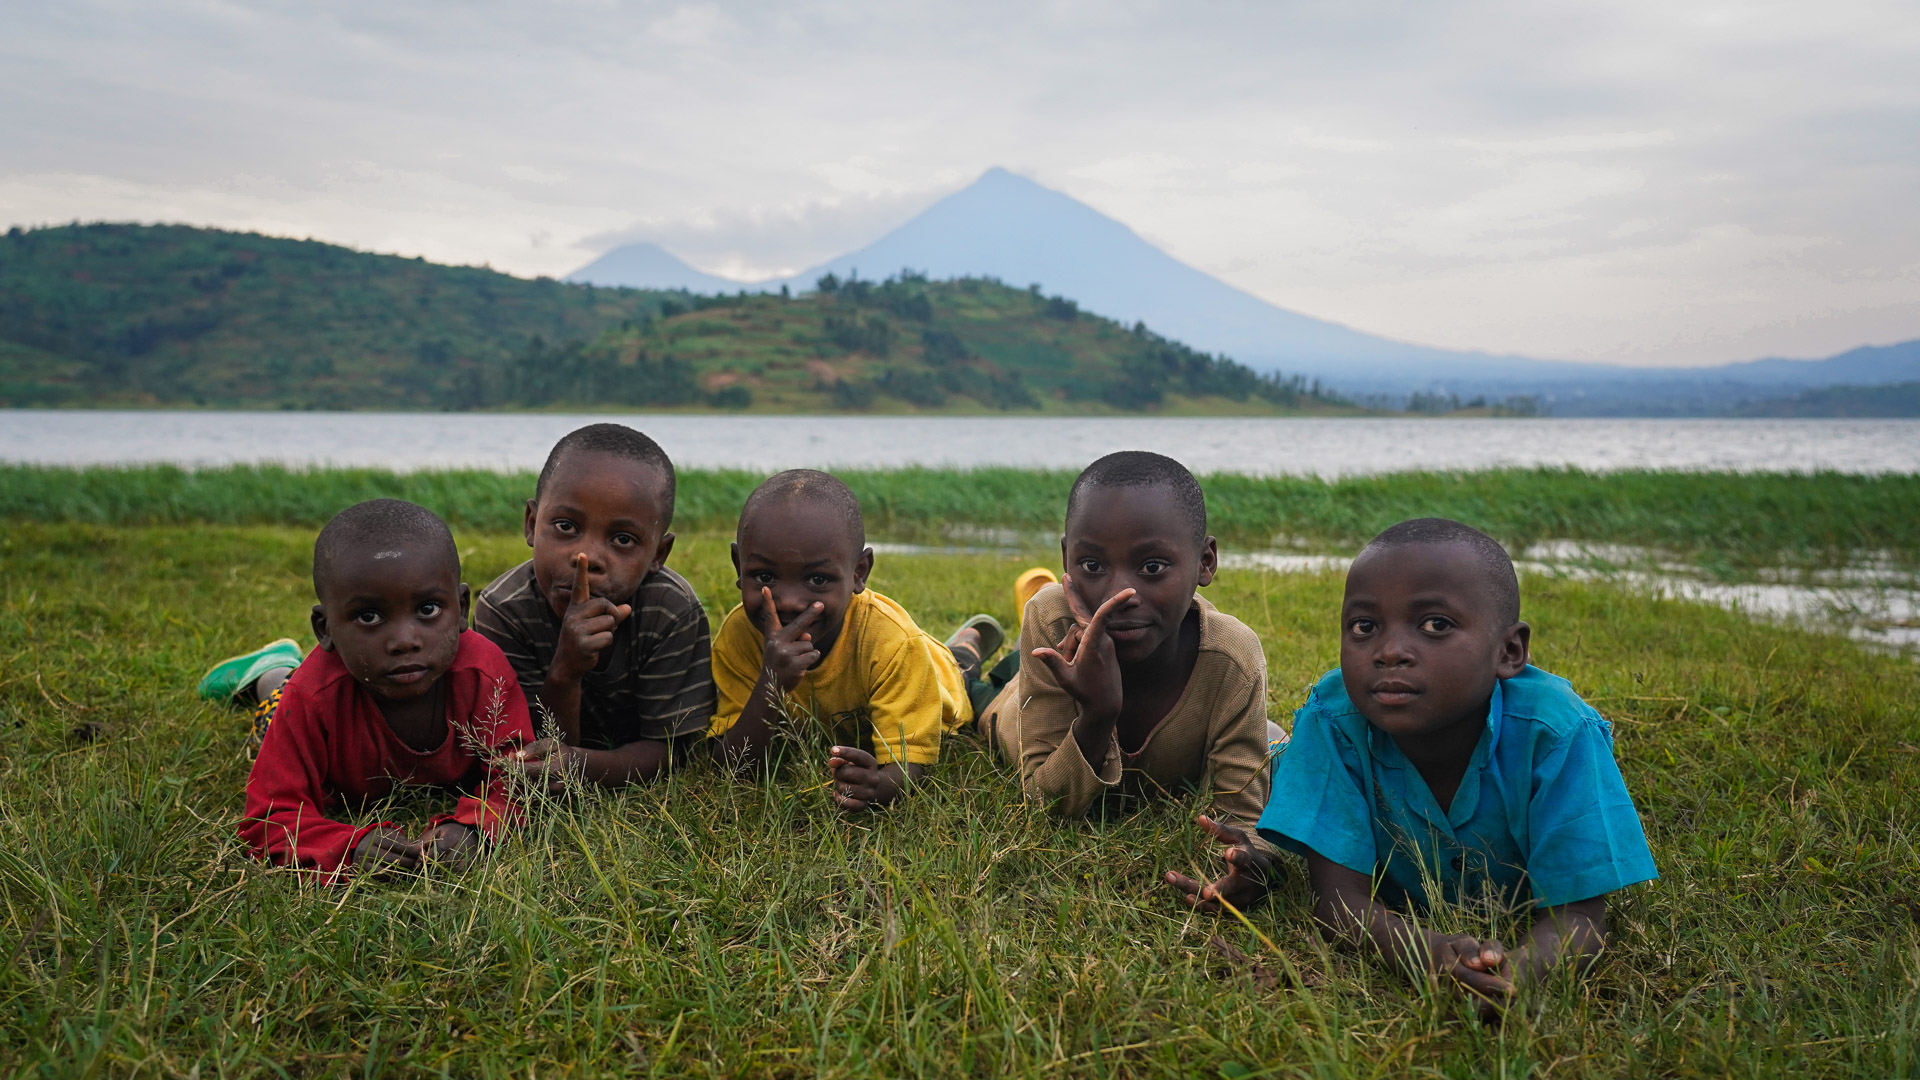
column 395, row 618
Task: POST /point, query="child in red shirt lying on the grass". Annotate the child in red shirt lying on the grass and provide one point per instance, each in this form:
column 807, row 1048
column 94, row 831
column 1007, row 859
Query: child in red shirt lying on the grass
column 398, row 693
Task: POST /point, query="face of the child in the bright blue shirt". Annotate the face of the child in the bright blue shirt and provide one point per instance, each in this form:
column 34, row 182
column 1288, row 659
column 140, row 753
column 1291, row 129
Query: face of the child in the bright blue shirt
column 1424, row 641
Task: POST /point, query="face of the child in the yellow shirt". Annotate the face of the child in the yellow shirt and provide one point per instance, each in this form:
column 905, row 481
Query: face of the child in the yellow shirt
column 805, row 554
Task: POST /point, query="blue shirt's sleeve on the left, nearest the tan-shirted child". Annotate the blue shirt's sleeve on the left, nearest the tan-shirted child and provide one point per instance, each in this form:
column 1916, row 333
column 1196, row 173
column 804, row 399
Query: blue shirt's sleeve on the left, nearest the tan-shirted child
column 1320, row 800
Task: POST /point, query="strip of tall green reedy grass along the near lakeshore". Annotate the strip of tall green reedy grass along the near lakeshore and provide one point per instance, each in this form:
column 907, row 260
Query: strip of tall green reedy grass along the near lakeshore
column 1727, row 522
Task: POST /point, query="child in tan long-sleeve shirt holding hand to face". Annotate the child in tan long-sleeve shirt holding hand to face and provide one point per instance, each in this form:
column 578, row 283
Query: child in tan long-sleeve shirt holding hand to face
column 1134, row 687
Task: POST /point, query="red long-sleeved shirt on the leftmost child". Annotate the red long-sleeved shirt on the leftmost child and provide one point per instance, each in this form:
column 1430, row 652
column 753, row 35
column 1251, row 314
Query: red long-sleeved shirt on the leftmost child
column 331, row 745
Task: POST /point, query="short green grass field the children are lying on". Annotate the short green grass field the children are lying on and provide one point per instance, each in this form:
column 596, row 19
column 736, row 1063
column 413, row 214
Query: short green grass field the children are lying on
column 717, row 927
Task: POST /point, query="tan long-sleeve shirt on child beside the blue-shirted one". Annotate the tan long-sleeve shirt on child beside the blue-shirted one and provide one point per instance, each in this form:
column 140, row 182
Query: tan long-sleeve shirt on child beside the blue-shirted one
column 1214, row 739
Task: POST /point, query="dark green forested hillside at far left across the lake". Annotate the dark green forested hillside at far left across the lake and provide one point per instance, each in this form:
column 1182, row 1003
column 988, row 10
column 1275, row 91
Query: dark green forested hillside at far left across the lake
column 130, row 314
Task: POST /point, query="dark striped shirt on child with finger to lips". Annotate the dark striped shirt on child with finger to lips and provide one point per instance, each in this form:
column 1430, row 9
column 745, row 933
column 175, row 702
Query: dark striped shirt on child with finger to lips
column 656, row 681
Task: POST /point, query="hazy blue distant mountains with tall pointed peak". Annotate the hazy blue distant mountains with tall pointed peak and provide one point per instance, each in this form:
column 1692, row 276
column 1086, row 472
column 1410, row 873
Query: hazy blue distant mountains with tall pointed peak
column 1009, row 228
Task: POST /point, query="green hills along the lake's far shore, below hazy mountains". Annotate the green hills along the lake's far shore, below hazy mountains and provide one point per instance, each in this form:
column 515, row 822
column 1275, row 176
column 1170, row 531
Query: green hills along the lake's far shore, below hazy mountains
column 176, row 316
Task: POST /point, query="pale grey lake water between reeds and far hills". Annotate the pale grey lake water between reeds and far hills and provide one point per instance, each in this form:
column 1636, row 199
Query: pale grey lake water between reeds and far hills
column 1259, row 447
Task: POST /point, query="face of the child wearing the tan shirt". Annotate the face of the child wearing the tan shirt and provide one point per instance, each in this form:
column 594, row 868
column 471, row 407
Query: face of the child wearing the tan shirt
column 1138, row 537
